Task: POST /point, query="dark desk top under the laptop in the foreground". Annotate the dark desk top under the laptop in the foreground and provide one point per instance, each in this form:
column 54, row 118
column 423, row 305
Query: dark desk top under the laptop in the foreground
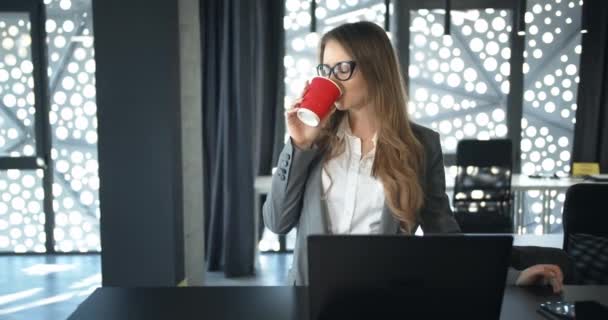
column 269, row 302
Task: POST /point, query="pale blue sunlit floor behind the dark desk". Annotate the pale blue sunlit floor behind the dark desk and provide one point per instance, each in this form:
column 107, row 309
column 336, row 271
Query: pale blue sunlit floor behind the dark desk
column 51, row 287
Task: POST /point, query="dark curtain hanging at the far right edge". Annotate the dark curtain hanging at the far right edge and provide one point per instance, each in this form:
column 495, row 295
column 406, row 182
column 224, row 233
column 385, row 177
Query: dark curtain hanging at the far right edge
column 591, row 129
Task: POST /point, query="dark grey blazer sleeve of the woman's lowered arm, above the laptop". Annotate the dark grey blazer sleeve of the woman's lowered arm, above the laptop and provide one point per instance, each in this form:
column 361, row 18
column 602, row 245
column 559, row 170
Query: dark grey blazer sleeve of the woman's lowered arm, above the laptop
column 436, row 215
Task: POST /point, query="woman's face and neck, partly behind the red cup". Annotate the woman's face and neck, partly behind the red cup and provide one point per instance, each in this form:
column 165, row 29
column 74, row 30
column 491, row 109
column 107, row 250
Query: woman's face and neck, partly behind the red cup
column 354, row 90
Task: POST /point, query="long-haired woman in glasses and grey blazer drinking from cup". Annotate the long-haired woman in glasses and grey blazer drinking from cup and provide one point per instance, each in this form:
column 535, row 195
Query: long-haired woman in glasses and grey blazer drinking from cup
column 366, row 169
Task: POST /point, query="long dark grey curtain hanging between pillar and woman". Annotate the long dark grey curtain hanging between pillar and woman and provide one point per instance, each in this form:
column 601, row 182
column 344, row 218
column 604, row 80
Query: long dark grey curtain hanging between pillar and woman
column 242, row 121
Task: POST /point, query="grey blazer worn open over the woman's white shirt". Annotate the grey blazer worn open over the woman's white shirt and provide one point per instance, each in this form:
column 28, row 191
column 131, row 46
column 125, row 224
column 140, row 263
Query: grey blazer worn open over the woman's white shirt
column 295, row 199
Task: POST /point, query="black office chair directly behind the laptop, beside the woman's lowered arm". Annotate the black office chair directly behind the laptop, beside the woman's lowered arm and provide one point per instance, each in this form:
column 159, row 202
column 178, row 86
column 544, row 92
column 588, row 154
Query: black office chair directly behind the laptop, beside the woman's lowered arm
column 482, row 192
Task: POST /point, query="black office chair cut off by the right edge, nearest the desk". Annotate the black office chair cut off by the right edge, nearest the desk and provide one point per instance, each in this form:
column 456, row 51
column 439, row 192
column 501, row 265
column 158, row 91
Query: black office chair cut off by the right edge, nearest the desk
column 585, row 220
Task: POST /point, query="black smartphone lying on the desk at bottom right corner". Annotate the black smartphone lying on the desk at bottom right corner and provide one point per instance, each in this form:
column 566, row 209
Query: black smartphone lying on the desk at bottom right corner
column 560, row 310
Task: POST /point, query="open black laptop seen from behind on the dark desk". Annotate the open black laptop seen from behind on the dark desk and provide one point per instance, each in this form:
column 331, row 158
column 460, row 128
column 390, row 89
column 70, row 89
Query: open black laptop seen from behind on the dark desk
column 407, row 277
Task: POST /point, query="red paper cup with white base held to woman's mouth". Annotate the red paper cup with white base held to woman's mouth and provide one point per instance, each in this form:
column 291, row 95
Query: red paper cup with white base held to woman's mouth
column 317, row 101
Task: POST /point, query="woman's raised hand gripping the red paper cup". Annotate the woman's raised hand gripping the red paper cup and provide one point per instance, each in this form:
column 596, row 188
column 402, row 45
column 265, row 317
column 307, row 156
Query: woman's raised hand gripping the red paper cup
column 302, row 135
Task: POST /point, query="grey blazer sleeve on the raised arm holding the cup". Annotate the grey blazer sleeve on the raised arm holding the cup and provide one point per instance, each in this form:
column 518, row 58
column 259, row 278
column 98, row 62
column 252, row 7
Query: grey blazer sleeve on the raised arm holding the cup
column 283, row 205
